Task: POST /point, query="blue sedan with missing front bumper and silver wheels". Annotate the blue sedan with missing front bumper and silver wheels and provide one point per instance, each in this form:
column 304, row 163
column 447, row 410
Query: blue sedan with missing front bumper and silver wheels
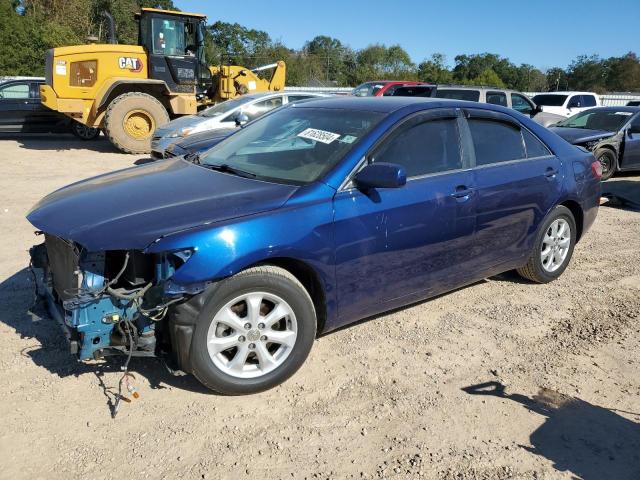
column 309, row 219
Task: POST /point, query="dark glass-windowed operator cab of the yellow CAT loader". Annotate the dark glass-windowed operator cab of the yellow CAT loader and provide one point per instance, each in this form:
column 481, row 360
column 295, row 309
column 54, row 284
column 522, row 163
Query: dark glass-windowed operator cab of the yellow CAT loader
column 175, row 45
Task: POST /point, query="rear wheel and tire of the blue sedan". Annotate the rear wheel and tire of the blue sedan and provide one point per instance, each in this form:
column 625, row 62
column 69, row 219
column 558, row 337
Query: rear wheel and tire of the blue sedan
column 553, row 247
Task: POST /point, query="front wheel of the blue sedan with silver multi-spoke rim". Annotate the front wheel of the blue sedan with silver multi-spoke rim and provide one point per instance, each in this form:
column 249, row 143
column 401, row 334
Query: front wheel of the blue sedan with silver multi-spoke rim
column 254, row 332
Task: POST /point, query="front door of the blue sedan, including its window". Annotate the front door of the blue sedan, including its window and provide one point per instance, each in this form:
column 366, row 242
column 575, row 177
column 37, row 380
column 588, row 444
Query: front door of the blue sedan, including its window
column 392, row 243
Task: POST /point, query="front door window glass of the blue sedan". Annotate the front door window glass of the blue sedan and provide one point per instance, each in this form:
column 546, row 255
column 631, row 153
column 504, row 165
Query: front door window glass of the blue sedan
column 426, row 148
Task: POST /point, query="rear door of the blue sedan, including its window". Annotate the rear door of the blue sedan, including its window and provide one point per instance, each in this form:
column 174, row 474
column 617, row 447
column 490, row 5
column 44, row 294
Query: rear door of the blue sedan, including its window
column 517, row 181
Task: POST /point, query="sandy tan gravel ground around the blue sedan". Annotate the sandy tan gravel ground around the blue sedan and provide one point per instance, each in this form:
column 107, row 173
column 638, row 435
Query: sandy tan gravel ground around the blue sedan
column 393, row 397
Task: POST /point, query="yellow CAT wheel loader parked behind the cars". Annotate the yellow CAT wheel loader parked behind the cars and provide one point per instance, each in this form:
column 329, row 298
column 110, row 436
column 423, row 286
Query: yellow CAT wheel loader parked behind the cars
column 130, row 90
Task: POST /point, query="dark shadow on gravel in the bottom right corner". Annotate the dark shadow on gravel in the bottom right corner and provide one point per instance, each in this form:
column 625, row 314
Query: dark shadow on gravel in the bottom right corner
column 588, row 441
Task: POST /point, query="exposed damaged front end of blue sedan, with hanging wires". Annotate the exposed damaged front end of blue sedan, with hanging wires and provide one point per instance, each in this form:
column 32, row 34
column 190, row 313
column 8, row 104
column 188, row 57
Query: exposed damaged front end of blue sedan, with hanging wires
column 108, row 302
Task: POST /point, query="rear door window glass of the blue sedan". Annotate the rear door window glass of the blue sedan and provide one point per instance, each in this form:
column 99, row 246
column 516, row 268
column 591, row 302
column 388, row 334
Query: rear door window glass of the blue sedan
column 495, row 142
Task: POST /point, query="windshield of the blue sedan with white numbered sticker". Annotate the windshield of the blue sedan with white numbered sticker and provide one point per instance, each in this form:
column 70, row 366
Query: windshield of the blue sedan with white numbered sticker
column 292, row 145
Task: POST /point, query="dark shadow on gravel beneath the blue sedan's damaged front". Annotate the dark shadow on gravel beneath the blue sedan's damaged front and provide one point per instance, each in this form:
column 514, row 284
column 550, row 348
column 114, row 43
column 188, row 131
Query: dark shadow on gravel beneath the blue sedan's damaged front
column 24, row 312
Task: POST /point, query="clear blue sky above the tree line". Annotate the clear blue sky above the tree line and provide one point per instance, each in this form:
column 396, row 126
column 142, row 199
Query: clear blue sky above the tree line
column 544, row 33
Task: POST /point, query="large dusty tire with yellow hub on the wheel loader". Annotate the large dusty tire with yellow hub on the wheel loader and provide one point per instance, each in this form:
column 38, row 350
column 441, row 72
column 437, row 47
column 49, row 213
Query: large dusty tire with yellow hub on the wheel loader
column 131, row 119
